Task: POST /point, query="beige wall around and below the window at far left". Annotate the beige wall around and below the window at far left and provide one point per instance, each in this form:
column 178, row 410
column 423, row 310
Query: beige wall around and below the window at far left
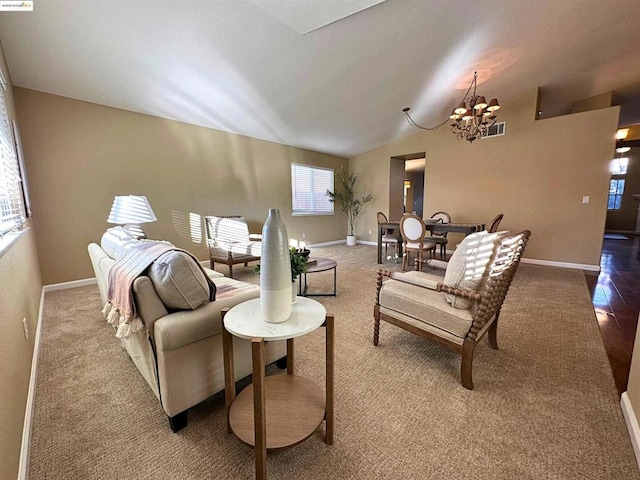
column 20, row 285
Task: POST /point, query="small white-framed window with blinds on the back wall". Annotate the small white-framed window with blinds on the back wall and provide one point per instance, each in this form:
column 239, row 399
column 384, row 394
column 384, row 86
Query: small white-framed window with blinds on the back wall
column 309, row 187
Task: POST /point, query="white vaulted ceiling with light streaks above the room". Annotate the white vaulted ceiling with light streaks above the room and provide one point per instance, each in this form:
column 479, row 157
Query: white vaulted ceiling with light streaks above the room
column 243, row 66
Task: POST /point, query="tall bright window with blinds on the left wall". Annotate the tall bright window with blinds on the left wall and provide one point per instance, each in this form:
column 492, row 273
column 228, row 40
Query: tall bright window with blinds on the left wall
column 11, row 204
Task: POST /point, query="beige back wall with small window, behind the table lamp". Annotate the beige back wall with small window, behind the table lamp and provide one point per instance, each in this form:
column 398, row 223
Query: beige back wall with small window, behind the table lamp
column 80, row 155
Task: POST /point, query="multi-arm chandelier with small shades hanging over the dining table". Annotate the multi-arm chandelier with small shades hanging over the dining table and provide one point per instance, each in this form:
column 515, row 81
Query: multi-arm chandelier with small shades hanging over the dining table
column 472, row 118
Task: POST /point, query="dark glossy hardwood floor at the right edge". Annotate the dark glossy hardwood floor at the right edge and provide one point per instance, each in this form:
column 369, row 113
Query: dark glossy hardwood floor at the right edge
column 616, row 300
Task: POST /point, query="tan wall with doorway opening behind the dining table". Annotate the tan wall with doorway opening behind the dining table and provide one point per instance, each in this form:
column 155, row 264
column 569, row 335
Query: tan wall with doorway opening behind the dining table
column 536, row 175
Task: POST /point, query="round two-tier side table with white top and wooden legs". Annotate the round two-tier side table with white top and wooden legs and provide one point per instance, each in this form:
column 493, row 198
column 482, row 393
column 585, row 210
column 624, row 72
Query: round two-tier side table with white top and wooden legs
column 282, row 410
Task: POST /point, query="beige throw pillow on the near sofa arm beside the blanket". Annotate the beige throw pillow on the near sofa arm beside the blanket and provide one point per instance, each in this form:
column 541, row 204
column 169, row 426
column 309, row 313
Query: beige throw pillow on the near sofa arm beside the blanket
column 179, row 281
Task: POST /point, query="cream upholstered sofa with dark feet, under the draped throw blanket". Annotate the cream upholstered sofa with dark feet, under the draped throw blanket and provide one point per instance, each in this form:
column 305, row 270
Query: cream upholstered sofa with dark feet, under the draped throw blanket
column 178, row 350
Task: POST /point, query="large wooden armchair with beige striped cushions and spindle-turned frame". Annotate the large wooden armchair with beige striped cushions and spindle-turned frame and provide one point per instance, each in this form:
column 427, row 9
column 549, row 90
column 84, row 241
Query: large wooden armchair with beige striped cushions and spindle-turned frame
column 456, row 310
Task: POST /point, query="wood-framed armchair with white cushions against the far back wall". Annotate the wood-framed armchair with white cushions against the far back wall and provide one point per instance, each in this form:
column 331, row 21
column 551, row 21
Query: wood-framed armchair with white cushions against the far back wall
column 230, row 242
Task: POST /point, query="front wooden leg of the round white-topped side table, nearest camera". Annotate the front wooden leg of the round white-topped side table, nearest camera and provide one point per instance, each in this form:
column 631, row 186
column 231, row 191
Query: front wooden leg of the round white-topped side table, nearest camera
column 259, row 413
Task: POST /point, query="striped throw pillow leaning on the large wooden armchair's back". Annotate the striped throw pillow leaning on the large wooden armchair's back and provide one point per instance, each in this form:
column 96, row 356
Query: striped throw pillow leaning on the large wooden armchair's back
column 468, row 266
